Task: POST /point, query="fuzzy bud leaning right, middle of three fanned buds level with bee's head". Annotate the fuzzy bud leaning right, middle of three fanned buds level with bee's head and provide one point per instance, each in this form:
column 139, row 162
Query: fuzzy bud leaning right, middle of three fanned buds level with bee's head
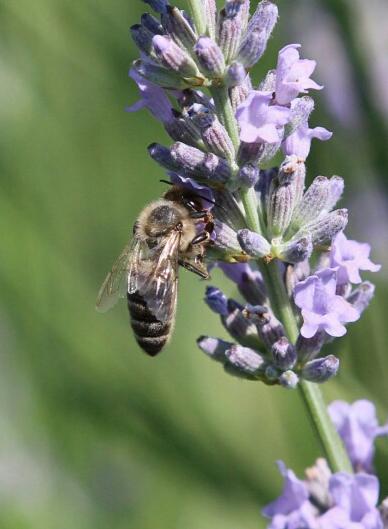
column 313, row 202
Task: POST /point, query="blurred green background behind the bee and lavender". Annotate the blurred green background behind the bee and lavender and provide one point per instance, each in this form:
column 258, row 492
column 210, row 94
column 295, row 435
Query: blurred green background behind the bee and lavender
column 93, row 434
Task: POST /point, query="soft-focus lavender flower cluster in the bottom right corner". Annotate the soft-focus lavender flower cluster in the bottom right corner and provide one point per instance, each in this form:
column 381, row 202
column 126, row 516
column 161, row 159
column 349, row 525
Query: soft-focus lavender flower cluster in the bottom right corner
column 341, row 500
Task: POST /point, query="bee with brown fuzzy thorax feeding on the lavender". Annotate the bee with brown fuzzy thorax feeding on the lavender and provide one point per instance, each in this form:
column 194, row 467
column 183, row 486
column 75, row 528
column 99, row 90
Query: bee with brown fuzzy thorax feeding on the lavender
column 166, row 235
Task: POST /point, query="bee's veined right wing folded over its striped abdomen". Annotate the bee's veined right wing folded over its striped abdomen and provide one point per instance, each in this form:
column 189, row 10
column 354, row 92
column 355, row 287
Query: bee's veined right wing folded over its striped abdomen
column 159, row 285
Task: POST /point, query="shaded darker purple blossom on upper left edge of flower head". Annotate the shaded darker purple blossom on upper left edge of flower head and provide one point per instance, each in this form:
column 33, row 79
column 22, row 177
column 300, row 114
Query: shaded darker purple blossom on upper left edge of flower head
column 152, row 97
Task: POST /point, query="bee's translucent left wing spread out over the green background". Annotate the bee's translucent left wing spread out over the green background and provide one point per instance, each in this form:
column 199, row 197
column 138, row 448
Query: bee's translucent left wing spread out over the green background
column 116, row 282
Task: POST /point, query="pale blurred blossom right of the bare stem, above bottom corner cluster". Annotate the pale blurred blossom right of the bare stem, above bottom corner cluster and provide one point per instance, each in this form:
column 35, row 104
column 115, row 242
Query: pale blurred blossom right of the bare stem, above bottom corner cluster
column 358, row 427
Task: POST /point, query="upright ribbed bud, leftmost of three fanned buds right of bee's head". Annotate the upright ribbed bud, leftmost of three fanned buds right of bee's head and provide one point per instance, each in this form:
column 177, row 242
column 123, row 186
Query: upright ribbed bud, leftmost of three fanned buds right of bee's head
column 281, row 205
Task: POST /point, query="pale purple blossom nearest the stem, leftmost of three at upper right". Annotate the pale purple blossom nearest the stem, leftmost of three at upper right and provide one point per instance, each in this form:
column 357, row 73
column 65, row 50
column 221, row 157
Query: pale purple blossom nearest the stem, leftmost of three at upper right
column 259, row 120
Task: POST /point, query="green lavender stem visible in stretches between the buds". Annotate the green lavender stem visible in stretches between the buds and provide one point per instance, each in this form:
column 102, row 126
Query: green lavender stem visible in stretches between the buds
column 281, row 305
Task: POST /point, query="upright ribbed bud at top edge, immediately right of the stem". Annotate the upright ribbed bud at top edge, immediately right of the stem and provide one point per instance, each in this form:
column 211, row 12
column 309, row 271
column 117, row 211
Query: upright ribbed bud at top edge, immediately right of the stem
column 229, row 31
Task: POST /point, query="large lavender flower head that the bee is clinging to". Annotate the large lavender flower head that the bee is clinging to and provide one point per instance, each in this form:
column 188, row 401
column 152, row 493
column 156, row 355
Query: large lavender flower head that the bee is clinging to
column 223, row 154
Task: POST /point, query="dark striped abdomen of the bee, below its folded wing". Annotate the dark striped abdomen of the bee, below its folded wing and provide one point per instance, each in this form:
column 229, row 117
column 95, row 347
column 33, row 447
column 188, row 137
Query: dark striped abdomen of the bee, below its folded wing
column 151, row 334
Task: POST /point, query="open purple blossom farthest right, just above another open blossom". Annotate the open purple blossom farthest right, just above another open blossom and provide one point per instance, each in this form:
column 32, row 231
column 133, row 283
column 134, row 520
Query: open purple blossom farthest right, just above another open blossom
column 350, row 257
